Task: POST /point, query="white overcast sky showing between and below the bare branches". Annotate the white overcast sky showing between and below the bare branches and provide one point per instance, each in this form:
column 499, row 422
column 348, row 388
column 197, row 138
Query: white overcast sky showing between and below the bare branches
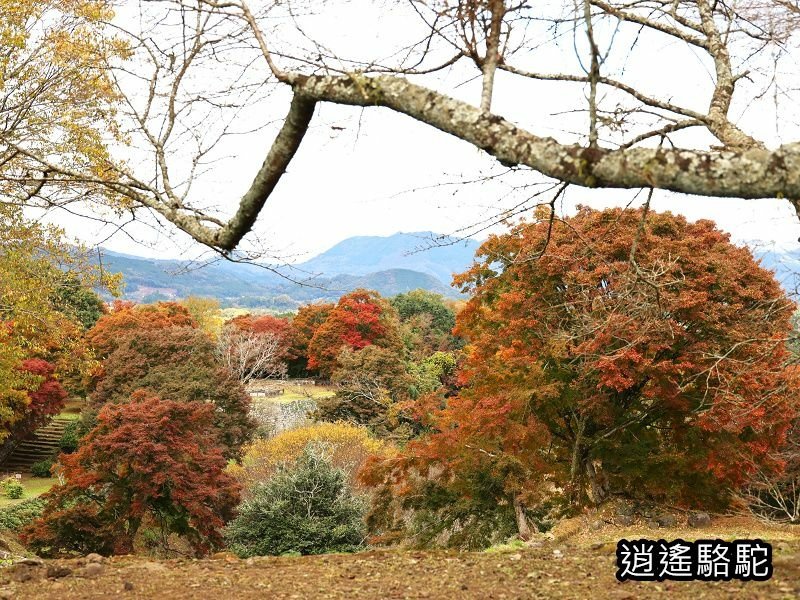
column 373, row 172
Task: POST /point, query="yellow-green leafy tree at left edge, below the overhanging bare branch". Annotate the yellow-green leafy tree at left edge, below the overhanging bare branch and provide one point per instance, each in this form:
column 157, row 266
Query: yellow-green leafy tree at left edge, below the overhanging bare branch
column 36, row 320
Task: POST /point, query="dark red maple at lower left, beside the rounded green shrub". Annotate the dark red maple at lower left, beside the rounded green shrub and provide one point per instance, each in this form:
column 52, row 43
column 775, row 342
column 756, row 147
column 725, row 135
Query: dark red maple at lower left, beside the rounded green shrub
column 146, row 459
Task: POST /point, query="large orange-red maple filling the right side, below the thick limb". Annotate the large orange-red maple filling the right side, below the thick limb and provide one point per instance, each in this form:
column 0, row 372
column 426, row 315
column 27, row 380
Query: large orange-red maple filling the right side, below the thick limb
column 607, row 356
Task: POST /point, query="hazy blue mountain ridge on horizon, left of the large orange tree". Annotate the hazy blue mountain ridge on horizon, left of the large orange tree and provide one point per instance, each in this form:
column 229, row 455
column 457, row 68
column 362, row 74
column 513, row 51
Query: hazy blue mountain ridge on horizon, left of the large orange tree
column 389, row 265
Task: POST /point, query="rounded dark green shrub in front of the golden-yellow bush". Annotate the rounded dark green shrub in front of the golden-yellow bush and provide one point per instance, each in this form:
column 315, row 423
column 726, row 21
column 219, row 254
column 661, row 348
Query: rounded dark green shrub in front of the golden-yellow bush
column 305, row 508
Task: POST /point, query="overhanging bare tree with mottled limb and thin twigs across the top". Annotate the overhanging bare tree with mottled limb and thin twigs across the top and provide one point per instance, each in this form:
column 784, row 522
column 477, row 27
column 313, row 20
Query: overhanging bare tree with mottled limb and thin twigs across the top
column 200, row 72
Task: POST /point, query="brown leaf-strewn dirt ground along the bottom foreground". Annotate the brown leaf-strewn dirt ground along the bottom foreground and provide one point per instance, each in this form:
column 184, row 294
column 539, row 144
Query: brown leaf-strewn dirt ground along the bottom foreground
column 573, row 565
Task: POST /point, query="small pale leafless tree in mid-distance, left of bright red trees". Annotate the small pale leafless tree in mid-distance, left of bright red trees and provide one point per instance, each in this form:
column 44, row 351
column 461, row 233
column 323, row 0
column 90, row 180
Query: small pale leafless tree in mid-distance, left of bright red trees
column 250, row 355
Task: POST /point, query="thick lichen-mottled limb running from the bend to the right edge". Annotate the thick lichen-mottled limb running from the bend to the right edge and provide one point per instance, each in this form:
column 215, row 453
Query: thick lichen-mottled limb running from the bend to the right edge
column 751, row 173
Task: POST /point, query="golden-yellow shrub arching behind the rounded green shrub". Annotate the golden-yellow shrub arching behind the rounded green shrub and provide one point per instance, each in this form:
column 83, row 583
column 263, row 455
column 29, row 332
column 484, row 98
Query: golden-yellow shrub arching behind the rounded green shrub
column 347, row 446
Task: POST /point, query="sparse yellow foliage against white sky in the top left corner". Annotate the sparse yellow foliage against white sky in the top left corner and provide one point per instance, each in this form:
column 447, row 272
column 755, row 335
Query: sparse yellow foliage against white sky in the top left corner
column 58, row 100
